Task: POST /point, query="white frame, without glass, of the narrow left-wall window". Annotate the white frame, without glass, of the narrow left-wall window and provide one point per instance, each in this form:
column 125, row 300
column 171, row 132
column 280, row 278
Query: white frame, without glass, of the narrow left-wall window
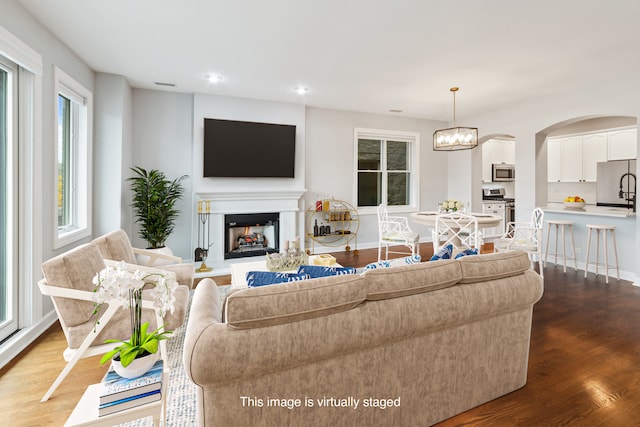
column 81, row 160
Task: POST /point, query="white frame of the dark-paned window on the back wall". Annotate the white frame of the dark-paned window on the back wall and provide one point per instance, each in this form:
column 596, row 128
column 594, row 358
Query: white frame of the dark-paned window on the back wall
column 413, row 138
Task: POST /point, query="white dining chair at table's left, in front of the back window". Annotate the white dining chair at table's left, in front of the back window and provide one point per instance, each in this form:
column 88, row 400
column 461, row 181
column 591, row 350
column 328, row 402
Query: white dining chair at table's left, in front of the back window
column 394, row 230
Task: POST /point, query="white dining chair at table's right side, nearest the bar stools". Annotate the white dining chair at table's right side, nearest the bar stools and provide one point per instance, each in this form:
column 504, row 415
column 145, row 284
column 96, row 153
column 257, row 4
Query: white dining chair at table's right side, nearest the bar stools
column 524, row 236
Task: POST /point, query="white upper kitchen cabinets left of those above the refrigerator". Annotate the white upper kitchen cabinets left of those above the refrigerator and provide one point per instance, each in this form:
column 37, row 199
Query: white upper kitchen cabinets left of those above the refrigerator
column 575, row 158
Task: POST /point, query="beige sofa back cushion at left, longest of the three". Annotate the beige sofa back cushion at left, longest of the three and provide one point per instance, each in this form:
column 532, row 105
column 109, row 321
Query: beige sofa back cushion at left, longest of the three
column 294, row 301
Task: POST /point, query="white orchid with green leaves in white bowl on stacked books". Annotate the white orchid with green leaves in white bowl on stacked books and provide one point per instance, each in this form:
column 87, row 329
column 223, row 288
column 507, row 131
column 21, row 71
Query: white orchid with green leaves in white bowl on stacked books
column 125, row 286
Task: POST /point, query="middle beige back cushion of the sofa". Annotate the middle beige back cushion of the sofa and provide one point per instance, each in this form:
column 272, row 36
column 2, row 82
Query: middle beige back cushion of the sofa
column 411, row 279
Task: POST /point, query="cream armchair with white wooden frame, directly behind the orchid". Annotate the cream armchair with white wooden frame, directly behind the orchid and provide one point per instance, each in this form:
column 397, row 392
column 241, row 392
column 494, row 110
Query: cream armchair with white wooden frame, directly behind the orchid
column 68, row 281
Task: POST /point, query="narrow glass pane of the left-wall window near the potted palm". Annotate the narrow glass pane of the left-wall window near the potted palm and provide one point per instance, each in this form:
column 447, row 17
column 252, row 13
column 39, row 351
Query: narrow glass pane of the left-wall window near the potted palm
column 64, row 162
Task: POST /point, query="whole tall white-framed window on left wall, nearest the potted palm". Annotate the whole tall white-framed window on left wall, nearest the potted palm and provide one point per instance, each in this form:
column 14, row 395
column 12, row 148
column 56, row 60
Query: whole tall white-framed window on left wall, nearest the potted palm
column 73, row 138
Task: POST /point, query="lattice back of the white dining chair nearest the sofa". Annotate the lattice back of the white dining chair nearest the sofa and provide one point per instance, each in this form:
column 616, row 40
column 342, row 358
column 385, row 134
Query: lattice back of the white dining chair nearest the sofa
column 458, row 229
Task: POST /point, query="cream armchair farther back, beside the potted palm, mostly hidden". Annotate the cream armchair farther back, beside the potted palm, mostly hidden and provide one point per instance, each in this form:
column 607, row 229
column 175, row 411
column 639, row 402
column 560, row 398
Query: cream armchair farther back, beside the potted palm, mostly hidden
column 116, row 246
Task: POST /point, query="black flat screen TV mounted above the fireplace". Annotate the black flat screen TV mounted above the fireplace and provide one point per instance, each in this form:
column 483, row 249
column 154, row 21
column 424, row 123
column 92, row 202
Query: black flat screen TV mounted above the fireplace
column 239, row 149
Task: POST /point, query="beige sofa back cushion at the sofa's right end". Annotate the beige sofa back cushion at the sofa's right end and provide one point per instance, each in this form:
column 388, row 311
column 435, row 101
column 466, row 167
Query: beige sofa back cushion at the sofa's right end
column 493, row 266
